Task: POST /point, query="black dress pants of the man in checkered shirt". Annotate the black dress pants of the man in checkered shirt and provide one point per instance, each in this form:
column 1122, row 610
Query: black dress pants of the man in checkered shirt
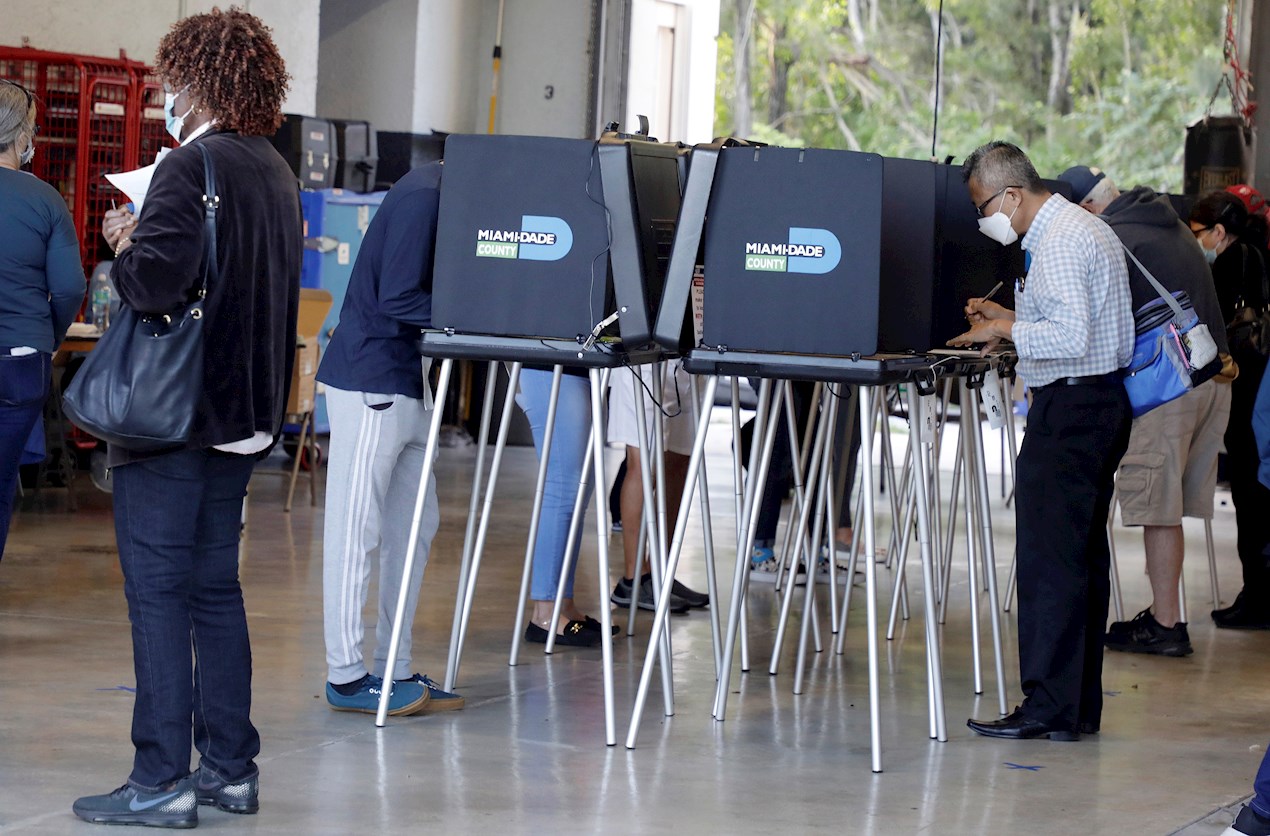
column 1075, row 440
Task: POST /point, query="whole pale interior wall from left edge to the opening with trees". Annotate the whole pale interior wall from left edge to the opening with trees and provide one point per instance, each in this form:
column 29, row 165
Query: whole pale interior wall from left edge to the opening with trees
column 424, row 65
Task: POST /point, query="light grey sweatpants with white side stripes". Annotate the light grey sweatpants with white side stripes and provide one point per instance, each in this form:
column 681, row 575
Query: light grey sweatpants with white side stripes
column 373, row 476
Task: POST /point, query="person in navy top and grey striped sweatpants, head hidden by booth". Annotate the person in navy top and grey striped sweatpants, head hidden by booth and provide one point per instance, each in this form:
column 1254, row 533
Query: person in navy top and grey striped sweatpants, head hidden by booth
column 380, row 410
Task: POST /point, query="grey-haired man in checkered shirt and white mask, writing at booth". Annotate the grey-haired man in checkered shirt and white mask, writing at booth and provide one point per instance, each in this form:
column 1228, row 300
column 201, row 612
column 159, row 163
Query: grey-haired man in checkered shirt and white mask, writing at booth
column 1074, row 332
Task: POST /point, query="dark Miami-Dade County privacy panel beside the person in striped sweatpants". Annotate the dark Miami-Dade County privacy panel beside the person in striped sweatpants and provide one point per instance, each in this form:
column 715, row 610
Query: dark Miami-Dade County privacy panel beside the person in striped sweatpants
column 523, row 239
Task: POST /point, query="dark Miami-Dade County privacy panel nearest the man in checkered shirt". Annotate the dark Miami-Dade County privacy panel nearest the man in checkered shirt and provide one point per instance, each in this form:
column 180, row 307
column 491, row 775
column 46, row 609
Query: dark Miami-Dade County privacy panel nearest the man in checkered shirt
column 793, row 245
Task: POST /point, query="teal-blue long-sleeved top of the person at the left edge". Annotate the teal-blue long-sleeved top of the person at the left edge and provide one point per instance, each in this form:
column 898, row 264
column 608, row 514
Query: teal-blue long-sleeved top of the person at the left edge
column 41, row 278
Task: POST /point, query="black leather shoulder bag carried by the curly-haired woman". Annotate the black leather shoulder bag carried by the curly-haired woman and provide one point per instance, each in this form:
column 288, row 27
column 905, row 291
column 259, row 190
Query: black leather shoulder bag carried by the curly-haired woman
column 142, row 386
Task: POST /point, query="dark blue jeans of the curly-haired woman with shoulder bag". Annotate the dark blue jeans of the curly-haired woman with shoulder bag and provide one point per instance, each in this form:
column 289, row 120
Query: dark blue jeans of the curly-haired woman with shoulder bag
column 177, row 524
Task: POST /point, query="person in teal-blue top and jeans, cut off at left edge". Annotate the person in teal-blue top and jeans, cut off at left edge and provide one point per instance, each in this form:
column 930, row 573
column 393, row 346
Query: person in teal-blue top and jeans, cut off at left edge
column 41, row 287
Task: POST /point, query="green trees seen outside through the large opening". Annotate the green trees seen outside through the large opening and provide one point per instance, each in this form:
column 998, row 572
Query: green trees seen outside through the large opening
column 1107, row 83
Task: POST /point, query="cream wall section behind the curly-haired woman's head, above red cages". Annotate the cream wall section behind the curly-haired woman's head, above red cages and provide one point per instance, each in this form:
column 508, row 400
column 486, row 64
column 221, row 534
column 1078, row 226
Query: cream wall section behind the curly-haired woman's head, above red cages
column 88, row 27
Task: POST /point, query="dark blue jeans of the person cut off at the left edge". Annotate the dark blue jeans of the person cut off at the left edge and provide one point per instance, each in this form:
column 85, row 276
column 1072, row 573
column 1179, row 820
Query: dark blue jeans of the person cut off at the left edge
column 25, row 383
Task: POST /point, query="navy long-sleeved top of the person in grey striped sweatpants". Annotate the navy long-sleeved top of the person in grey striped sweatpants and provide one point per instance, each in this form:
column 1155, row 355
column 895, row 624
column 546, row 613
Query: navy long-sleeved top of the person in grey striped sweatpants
column 389, row 299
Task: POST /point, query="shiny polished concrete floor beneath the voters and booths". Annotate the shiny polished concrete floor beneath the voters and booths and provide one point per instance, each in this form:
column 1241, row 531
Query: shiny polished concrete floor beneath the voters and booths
column 1180, row 743
